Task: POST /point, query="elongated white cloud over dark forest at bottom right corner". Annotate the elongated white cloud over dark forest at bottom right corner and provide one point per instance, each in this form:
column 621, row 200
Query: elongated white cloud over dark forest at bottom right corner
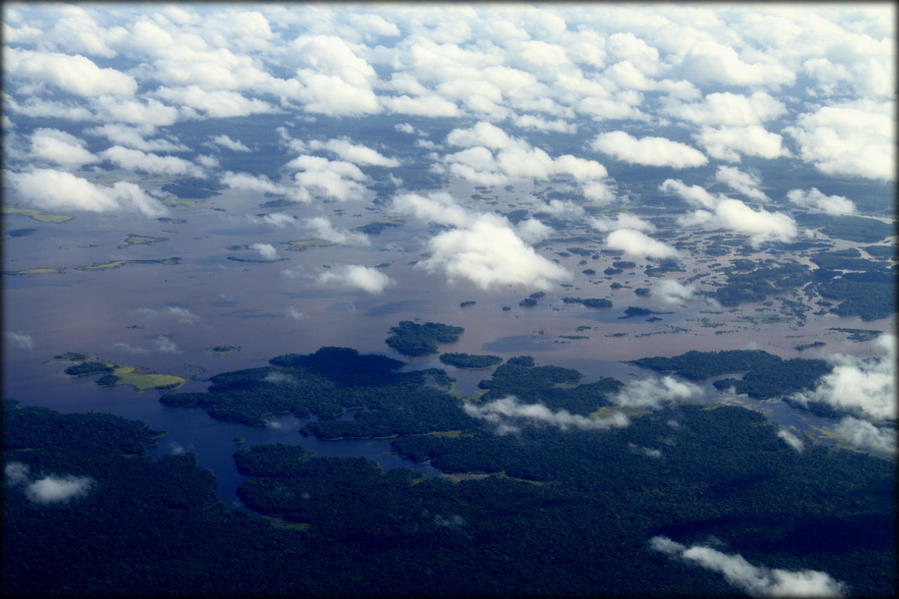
column 755, row 580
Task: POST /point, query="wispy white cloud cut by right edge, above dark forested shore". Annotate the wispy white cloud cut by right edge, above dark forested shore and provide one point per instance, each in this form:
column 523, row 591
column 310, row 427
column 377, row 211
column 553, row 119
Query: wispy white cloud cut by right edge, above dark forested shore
column 864, row 386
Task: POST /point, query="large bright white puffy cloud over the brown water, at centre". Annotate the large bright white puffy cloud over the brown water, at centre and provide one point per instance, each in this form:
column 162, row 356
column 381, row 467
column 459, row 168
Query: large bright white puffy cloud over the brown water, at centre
column 489, row 253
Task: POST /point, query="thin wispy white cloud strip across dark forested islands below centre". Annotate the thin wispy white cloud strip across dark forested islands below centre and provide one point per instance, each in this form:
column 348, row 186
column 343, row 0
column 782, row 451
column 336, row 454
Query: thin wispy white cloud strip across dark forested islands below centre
column 508, row 414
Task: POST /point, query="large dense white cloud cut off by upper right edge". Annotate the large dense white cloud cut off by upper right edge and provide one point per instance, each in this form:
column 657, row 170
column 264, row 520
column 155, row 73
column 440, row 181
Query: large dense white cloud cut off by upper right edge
column 854, row 140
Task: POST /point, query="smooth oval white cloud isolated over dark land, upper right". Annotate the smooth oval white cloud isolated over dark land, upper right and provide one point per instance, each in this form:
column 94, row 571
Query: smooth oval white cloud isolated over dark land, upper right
column 648, row 151
